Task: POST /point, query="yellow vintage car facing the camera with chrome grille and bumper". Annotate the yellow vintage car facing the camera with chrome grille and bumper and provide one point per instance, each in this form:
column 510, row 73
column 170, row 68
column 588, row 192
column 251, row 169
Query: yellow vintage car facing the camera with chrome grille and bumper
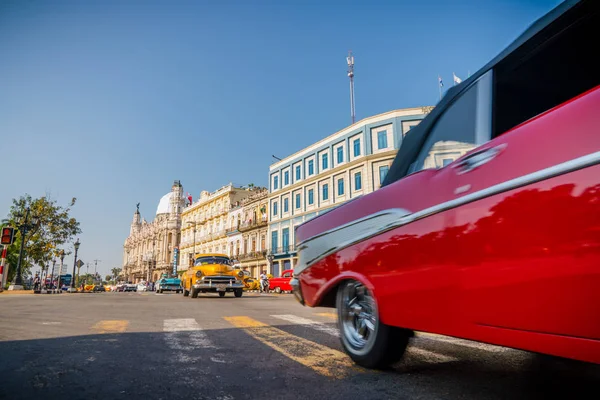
column 212, row 273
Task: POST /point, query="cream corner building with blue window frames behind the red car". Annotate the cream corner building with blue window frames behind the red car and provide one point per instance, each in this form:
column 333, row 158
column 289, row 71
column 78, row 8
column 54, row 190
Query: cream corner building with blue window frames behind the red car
column 342, row 166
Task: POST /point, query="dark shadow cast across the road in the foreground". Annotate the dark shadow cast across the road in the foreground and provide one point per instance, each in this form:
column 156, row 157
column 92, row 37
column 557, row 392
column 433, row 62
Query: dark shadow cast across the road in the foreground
column 231, row 364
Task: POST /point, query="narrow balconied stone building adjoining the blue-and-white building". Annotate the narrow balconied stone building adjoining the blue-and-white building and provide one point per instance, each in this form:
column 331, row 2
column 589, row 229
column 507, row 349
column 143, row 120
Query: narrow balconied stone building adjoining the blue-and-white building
column 254, row 229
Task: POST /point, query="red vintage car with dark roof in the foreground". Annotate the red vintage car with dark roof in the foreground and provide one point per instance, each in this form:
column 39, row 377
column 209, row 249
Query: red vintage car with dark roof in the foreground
column 487, row 226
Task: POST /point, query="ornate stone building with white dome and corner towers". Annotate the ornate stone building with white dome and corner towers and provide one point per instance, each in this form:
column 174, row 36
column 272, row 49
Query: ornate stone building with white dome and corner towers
column 150, row 248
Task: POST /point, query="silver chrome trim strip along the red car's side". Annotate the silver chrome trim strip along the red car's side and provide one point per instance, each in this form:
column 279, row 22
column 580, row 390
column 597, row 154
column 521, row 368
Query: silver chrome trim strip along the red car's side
column 313, row 250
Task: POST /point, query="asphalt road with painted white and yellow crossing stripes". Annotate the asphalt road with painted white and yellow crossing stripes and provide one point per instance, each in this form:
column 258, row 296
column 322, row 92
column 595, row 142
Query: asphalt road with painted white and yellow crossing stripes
column 150, row 346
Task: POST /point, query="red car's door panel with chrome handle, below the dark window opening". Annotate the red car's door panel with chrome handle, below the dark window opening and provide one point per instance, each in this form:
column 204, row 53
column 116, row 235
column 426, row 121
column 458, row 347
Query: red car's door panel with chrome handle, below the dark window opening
column 527, row 225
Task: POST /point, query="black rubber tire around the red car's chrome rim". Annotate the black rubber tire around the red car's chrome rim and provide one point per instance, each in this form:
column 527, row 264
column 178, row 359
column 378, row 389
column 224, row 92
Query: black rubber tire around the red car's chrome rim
column 386, row 345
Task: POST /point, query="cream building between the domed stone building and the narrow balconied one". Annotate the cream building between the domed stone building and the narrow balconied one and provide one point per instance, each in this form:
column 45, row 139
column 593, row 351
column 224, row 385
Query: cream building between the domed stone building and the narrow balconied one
column 204, row 223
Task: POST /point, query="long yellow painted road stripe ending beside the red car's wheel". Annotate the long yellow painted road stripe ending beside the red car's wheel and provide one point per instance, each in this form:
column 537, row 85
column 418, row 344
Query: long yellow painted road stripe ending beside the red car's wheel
column 321, row 359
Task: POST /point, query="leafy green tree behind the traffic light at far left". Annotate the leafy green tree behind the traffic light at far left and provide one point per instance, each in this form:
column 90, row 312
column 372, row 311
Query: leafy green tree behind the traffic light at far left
column 55, row 228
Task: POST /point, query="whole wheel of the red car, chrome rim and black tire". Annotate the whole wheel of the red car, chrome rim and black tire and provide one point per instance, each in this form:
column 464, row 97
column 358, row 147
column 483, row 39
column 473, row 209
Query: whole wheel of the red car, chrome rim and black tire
column 369, row 342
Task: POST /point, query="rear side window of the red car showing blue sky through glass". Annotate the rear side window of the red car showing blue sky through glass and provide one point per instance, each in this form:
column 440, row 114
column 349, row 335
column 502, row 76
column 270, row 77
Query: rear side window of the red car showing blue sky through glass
column 464, row 125
